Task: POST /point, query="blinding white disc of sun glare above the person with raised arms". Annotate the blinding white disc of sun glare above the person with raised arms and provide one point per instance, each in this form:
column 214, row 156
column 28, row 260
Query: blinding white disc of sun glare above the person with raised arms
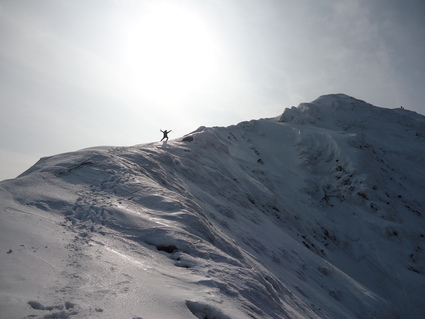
column 174, row 53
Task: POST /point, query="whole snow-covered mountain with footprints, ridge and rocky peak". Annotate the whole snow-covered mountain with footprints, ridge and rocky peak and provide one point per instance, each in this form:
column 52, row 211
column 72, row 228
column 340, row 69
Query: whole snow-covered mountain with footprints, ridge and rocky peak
column 318, row 213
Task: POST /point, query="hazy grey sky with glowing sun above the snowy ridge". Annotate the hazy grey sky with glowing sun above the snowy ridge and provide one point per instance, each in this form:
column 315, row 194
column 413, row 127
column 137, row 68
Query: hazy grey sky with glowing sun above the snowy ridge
column 83, row 73
